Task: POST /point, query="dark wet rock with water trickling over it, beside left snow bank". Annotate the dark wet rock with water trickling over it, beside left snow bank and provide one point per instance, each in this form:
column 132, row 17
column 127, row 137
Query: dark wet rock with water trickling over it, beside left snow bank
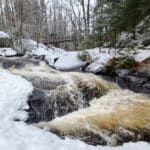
column 52, row 99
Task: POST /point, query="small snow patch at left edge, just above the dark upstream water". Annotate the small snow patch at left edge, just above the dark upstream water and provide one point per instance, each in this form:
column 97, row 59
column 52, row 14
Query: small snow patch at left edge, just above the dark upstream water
column 7, row 52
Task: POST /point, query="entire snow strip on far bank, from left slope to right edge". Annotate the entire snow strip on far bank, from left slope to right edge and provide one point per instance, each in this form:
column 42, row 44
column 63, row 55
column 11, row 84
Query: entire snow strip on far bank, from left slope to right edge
column 99, row 57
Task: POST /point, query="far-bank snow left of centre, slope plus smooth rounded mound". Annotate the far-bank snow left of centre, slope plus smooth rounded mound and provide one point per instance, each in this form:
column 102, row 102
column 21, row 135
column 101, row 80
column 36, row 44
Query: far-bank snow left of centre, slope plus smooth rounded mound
column 56, row 57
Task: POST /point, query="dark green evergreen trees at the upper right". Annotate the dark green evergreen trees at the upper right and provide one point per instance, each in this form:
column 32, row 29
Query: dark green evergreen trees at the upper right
column 115, row 16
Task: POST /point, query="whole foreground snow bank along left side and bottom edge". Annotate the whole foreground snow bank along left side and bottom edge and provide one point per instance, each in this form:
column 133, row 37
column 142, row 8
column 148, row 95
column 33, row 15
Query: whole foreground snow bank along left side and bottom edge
column 18, row 135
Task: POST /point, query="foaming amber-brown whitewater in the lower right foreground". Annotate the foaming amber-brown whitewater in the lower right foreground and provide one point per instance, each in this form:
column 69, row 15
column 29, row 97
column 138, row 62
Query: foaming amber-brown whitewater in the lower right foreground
column 118, row 116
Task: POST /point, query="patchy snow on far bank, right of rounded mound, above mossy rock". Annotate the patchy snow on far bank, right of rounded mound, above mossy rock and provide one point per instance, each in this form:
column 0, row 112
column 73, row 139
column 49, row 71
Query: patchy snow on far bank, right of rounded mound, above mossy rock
column 101, row 56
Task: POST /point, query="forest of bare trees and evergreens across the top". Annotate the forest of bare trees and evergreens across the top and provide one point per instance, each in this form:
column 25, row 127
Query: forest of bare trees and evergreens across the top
column 90, row 23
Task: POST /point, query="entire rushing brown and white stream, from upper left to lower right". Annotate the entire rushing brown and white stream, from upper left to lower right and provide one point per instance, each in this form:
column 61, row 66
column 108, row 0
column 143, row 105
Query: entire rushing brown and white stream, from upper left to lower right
column 82, row 105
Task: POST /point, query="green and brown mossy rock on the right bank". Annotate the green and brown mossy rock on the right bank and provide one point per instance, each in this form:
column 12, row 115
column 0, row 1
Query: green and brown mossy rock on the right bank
column 122, row 62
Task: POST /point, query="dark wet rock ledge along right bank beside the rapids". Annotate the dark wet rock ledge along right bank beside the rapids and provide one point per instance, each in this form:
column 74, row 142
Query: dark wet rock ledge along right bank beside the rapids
column 128, row 79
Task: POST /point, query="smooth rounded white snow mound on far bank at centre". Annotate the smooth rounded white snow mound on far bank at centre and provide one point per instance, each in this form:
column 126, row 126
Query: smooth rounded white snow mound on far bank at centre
column 69, row 61
